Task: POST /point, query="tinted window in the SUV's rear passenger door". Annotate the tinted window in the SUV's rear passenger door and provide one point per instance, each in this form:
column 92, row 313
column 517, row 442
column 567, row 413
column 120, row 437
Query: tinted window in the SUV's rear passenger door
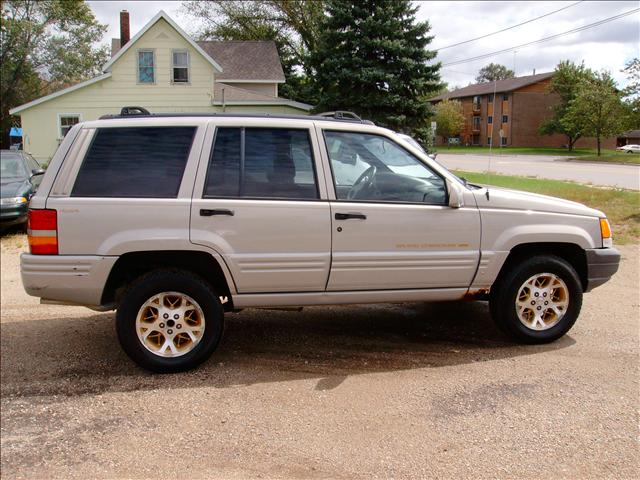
column 261, row 163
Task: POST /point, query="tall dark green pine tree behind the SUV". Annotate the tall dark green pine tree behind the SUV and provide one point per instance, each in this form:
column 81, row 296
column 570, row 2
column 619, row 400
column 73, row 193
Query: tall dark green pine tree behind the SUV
column 372, row 59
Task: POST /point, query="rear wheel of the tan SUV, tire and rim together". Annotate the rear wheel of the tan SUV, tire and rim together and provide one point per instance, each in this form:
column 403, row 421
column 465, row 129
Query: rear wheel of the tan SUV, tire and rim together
column 169, row 321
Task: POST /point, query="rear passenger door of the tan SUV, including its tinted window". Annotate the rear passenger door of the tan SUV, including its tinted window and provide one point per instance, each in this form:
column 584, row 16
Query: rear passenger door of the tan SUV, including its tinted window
column 260, row 202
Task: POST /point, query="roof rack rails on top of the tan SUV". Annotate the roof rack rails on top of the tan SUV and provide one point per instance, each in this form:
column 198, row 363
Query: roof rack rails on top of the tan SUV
column 140, row 112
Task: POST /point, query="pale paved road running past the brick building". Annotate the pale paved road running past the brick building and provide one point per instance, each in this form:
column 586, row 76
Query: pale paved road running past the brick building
column 555, row 168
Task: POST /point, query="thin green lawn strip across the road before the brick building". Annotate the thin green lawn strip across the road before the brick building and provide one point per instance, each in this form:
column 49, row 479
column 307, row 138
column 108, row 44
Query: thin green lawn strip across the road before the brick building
column 582, row 154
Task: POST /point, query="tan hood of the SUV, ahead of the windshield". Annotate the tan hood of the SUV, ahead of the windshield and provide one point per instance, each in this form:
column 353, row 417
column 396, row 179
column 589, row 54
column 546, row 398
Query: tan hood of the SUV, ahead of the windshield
column 518, row 200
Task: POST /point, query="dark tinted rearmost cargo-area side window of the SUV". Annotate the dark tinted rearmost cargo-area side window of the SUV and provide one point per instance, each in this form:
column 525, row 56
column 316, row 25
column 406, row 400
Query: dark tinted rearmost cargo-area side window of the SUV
column 146, row 162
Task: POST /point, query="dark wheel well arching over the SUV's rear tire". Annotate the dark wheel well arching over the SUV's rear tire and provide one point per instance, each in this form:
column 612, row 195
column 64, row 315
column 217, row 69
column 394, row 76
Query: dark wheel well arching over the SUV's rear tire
column 132, row 265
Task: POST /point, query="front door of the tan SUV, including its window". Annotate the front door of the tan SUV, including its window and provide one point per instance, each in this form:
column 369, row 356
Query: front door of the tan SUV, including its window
column 392, row 226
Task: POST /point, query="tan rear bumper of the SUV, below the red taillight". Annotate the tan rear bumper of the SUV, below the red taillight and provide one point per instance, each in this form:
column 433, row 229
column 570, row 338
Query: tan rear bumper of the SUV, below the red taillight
column 66, row 278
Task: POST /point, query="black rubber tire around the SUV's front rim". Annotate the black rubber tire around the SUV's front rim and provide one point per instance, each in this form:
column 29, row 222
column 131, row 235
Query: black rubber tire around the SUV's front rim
column 502, row 301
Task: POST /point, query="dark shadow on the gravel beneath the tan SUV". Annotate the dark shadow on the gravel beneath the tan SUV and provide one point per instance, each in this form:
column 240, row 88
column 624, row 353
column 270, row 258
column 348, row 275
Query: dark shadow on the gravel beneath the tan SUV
column 81, row 356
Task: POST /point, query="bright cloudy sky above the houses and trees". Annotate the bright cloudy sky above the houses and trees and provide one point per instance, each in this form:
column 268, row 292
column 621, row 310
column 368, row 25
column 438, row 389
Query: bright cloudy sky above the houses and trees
column 605, row 47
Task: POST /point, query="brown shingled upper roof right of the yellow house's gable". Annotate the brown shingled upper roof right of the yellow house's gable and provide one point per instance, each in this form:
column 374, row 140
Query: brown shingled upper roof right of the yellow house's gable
column 246, row 60
